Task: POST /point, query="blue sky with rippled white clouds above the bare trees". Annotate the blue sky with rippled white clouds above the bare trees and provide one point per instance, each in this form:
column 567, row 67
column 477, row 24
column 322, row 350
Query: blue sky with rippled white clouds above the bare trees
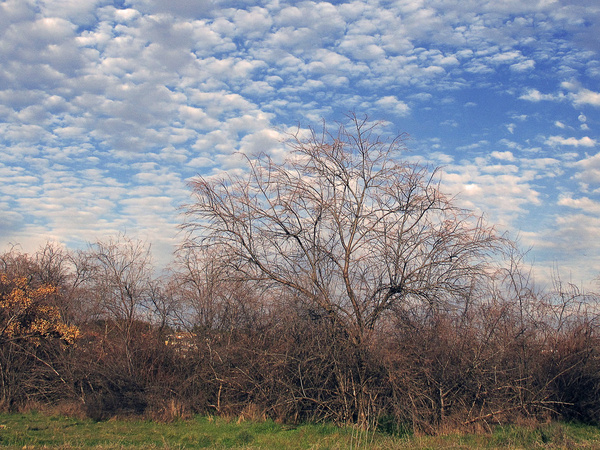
column 109, row 108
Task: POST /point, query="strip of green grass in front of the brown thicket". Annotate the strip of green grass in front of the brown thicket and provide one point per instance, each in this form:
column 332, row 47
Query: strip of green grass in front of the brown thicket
column 36, row 430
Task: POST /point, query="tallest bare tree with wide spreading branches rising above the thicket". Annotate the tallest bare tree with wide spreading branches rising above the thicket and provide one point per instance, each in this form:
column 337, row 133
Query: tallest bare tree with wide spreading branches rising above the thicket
column 347, row 226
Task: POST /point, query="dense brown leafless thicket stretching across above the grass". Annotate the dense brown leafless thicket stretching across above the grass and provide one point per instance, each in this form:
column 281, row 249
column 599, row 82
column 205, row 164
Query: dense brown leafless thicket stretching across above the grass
column 503, row 355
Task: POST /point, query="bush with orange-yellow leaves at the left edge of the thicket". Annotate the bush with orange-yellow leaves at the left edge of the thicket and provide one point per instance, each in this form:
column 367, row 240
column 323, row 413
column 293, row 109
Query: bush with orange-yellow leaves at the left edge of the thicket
column 25, row 312
